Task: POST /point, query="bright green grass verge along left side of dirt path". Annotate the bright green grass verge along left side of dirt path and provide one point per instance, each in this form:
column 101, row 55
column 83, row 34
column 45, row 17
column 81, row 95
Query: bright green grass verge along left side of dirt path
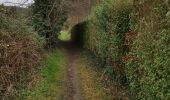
column 51, row 86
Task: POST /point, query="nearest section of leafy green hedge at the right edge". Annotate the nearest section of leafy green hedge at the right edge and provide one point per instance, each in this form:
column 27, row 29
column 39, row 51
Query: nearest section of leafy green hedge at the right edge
column 148, row 69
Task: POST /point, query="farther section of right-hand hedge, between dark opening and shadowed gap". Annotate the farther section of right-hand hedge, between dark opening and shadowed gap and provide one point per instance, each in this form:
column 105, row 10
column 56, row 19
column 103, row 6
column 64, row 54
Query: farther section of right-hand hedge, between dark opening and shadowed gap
column 106, row 30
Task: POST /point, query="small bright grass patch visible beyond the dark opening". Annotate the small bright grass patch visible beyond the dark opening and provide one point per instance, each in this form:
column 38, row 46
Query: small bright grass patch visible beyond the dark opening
column 64, row 36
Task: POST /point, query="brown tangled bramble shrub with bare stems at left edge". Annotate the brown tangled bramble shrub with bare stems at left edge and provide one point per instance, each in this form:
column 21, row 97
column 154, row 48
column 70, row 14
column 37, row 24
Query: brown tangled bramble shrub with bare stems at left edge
column 19, row 55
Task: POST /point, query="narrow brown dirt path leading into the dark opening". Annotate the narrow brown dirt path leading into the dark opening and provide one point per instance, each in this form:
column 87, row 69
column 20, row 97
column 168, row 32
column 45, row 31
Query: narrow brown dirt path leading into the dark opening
column 72, row 91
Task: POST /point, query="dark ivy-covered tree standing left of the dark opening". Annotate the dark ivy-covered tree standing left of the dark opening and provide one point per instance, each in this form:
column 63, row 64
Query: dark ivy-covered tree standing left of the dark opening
column 48, row 19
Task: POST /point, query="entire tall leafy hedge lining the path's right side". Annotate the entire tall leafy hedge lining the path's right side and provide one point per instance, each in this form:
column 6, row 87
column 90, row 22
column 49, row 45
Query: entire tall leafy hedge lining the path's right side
column 132, row 40
